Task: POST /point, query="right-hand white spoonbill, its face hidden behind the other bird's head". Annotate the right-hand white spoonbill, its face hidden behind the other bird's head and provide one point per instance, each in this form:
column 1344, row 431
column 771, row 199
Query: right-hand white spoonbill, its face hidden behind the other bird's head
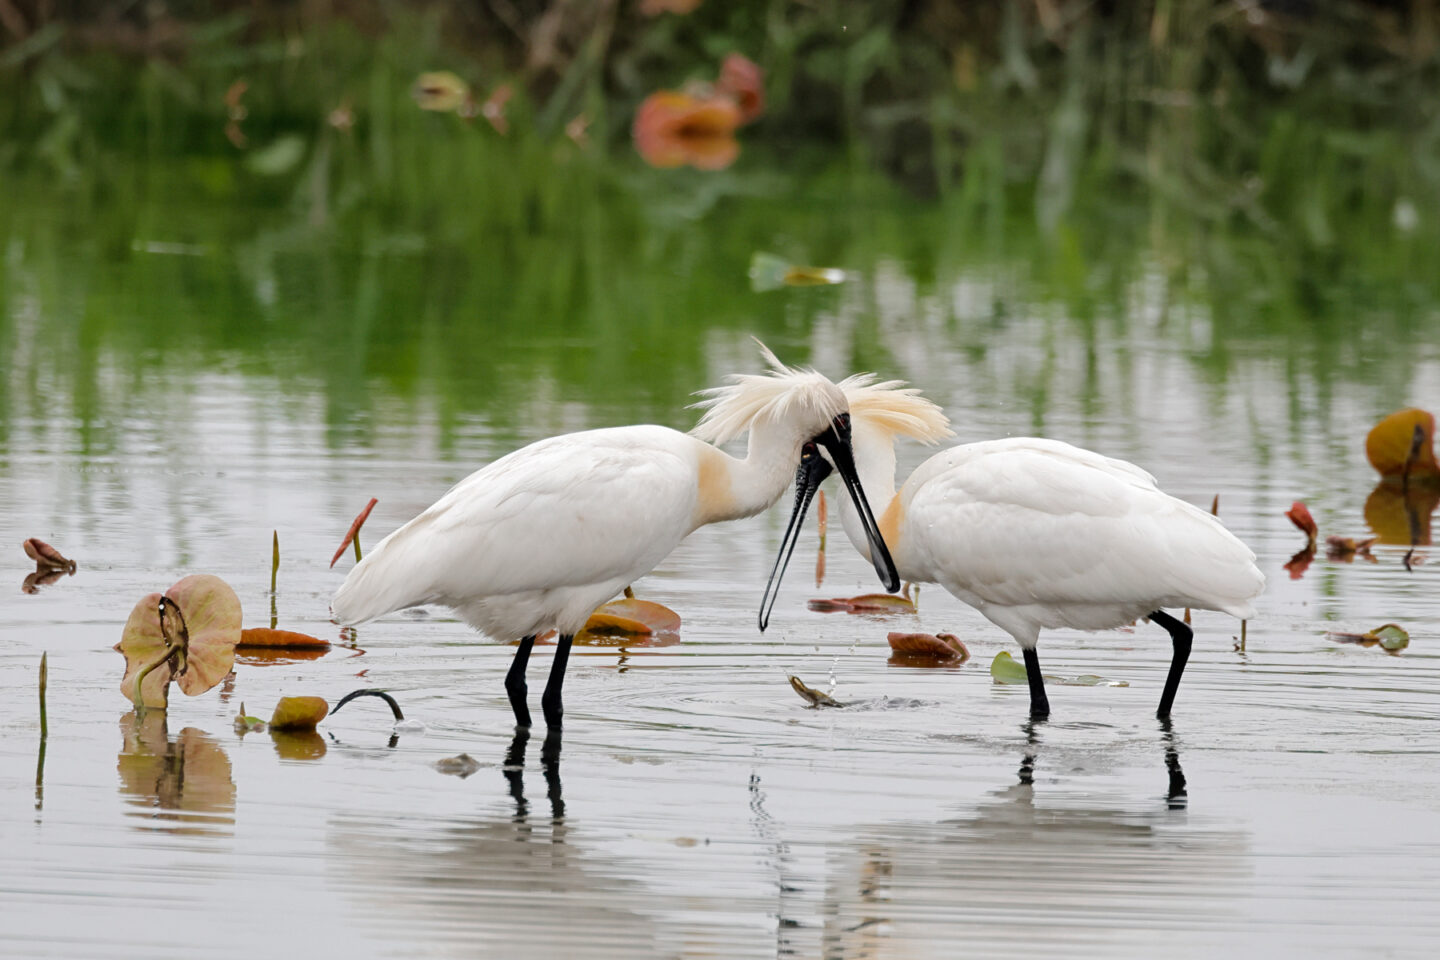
column 1039, row 535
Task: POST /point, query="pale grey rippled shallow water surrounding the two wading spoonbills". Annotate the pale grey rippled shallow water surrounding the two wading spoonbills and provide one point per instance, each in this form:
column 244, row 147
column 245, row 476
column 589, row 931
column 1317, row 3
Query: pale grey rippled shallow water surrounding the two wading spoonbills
column 695, row 805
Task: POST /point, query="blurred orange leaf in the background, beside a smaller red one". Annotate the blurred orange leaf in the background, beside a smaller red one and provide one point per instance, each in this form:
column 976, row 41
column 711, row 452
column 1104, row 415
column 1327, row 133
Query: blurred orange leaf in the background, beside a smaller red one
column 675, row 130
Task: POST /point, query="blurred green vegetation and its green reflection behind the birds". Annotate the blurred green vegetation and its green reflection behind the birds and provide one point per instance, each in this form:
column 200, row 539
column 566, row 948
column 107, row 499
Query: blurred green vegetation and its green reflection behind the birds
column 1275, row 168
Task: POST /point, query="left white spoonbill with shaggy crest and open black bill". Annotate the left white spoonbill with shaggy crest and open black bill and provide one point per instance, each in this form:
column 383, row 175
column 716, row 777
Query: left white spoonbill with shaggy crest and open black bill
column 541, row 538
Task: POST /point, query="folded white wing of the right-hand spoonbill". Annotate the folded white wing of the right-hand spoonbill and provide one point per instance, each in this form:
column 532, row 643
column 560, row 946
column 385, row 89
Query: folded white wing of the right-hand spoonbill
column 1039, row 522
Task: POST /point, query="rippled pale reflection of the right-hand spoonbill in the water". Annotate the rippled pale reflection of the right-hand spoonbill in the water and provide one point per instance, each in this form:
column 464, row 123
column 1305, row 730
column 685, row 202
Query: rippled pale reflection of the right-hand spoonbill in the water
column 1033, row 857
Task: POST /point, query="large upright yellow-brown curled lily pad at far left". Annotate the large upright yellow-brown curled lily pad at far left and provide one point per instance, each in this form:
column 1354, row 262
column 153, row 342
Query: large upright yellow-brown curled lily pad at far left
column 195, row 646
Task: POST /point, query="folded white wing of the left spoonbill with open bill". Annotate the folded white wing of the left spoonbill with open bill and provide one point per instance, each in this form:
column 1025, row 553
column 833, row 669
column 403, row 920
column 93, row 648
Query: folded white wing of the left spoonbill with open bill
column 572, row 510
